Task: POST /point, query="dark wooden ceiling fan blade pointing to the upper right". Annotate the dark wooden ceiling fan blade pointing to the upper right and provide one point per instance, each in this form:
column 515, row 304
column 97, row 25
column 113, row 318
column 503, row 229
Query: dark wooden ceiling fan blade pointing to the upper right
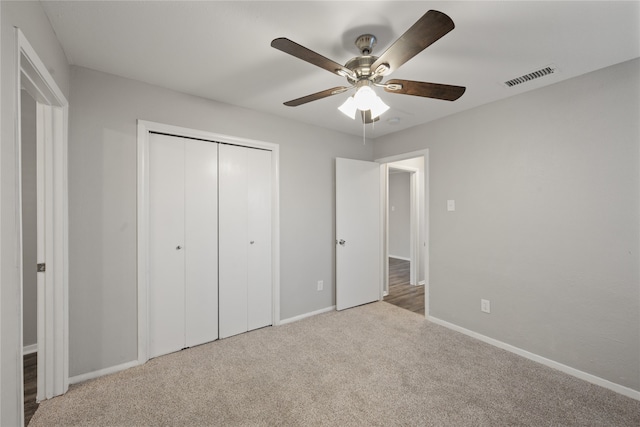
column 428, row 29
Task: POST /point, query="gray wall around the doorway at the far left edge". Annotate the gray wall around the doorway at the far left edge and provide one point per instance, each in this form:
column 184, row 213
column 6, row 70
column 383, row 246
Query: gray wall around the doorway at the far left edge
column 30, row 17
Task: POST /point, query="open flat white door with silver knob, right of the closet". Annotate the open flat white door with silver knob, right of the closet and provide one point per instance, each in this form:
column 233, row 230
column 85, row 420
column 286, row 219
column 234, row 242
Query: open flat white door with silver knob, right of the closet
column 358, row 231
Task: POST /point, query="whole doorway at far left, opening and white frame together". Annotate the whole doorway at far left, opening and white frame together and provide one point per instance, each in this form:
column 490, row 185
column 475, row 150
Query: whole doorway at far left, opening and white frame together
column 42, row 223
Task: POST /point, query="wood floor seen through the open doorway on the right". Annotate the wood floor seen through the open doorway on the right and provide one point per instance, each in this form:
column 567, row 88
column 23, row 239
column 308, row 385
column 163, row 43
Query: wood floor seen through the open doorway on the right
column 401, row 293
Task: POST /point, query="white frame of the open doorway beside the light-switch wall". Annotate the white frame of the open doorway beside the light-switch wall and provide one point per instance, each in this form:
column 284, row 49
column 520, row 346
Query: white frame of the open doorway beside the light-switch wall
column 424, row 218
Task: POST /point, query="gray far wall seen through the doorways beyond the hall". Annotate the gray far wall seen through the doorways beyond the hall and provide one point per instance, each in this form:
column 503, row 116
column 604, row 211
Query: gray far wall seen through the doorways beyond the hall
column 399, row 215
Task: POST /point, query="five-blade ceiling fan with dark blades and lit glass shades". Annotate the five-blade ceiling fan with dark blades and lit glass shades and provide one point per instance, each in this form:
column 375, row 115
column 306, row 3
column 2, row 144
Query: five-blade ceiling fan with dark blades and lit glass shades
column 367, row 71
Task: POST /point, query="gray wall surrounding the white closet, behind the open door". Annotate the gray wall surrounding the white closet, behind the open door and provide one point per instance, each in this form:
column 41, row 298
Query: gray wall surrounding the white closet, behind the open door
column 102, row 205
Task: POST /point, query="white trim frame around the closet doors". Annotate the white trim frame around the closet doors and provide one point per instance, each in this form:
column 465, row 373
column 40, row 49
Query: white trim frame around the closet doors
column 144, row 128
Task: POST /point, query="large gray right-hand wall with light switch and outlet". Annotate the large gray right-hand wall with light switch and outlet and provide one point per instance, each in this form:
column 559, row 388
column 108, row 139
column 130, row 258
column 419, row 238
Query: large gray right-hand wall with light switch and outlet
column 546, row 225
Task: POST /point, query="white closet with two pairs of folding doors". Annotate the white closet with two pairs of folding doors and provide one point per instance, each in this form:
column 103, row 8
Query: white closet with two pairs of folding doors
column 209, row 241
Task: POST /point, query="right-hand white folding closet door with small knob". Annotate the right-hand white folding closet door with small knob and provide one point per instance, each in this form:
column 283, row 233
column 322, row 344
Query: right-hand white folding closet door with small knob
column 245, row 239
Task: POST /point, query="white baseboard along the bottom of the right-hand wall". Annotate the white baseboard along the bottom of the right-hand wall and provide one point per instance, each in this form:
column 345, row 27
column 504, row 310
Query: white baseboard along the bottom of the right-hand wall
column 626, row 391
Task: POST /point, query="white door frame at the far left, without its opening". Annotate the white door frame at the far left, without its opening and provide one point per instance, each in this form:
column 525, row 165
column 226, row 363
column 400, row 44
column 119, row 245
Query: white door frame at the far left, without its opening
column 53, row 243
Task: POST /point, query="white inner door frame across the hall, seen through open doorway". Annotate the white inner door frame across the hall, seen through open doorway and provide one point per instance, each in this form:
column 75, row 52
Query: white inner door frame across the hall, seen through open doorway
column 414, row 223
